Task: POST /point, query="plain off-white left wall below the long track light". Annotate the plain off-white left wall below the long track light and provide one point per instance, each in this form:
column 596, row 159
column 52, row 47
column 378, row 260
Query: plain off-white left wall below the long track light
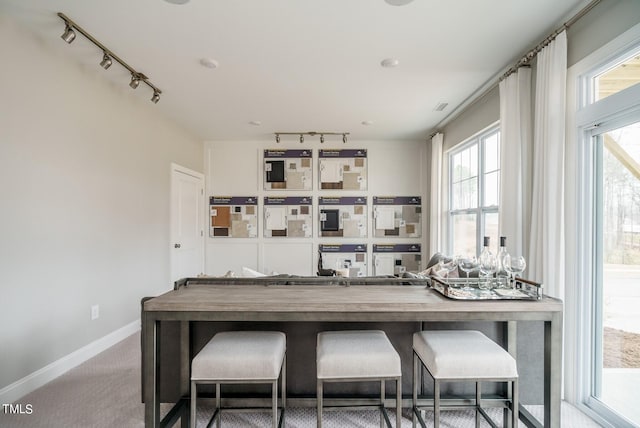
column 84, row 197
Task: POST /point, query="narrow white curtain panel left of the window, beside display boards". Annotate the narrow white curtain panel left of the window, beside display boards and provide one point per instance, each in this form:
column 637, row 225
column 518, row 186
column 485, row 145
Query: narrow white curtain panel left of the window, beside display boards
column 435, row 215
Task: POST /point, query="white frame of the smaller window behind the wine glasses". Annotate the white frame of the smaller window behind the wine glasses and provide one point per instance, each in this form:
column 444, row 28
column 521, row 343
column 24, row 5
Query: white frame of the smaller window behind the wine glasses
column 481, row 210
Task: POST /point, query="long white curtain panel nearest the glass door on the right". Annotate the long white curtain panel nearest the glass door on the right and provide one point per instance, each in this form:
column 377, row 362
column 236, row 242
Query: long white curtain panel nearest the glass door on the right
column 546, row 251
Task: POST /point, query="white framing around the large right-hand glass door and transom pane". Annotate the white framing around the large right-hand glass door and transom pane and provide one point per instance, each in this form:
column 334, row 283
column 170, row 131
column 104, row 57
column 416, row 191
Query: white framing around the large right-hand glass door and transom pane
column 589, row 120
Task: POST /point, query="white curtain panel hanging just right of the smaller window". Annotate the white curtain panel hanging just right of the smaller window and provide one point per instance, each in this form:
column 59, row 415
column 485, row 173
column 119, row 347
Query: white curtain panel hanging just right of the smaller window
column 515, row 143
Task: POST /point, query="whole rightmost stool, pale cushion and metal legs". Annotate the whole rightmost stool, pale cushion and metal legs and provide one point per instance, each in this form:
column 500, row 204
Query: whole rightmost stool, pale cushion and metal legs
column 462, row 355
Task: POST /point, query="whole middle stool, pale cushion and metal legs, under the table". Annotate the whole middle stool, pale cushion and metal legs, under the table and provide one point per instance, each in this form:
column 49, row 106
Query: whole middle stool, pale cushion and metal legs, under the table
column 355, row 356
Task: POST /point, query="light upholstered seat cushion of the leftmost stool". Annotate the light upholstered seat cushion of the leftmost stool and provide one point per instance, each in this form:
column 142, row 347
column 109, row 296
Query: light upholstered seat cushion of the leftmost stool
column 240, row 355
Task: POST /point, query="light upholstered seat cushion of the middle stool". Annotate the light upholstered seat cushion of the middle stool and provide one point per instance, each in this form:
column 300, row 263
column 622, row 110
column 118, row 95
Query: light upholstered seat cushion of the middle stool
column 356, row 354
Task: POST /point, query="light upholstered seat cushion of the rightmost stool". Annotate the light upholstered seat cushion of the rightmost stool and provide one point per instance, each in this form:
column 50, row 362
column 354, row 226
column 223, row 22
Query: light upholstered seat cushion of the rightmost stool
column 460, row 354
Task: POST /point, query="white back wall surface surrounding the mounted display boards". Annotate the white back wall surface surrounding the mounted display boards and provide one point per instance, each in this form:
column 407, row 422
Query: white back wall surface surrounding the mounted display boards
column 236, row 168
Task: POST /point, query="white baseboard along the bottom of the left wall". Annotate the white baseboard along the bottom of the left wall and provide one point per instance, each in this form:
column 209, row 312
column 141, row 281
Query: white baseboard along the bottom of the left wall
column 33, row 381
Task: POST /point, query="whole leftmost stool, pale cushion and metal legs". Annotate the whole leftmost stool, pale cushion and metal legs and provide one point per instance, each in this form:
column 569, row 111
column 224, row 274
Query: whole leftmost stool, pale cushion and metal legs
column 241, row 357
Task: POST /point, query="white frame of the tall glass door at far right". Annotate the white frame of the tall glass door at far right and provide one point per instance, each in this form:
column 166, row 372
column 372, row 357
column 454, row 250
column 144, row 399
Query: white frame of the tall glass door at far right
column 584, row 120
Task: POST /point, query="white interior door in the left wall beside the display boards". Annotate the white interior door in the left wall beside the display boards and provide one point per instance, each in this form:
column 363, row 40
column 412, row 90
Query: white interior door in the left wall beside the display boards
column 187, row 223
